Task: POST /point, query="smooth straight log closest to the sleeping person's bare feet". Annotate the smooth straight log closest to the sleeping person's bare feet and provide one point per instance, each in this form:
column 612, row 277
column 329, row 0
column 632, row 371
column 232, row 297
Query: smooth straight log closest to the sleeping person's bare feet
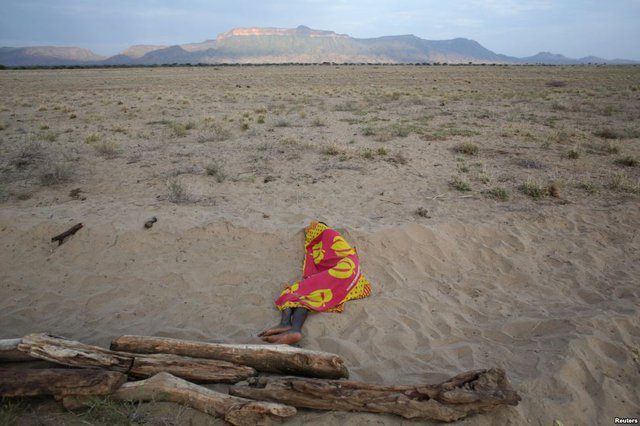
column 283, row 359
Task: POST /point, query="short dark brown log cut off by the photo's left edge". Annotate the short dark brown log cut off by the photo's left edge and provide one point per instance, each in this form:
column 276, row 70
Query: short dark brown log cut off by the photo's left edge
column 59, row 382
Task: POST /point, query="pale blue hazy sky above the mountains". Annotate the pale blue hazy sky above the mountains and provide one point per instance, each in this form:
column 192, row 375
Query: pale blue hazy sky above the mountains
column 575, row 28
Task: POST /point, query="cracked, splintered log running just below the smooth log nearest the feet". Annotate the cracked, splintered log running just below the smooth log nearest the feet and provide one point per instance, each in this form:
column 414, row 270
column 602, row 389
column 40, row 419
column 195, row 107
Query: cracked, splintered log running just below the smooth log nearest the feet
column 76, row 354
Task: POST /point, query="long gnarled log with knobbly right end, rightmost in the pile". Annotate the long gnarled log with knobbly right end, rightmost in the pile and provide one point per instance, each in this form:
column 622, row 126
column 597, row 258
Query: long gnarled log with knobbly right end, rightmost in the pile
column 472, row 392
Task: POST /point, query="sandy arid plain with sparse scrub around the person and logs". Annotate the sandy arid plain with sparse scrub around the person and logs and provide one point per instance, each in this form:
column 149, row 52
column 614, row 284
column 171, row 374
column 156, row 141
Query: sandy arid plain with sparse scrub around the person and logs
column 496, row 211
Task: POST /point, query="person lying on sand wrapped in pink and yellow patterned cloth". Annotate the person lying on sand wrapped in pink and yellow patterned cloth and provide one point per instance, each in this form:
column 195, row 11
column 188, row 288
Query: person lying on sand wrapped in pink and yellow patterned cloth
column 331, row 276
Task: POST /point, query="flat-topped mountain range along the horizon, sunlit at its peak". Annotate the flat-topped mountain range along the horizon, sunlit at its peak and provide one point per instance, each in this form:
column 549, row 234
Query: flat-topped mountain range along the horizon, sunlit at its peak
column 283, row 45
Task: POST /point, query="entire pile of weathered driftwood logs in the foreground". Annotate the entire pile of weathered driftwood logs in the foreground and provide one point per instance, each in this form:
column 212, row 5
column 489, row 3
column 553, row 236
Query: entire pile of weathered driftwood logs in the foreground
column 305, row 379
